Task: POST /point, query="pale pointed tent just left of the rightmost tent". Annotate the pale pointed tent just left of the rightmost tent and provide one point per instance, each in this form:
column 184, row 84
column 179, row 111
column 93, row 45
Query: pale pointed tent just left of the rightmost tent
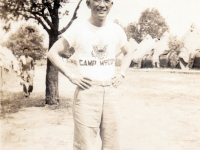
column 160, row 47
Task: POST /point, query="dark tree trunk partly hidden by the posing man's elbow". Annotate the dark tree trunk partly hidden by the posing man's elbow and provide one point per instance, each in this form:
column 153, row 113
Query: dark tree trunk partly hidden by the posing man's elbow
column 52, row 94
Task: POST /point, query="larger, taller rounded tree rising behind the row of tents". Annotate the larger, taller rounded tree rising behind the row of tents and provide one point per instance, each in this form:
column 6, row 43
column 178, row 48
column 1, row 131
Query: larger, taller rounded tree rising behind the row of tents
column 152, row 23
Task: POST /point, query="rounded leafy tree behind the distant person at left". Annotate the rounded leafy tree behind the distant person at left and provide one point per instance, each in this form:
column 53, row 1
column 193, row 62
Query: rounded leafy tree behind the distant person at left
column 26, row 36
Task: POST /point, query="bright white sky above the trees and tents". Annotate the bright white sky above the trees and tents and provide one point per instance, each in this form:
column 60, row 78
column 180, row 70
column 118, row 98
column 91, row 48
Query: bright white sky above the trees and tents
column 179, row 14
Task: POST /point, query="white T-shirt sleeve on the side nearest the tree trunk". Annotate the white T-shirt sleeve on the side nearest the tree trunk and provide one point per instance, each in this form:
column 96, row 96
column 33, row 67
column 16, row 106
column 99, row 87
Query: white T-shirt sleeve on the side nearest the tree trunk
column 71, row 34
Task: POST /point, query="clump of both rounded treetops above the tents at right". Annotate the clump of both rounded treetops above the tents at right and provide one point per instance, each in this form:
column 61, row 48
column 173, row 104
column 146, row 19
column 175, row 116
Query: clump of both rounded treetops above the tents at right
column 150, row 22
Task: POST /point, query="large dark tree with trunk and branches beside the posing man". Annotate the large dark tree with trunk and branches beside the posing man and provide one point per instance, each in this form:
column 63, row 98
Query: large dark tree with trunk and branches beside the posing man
column 46, row 13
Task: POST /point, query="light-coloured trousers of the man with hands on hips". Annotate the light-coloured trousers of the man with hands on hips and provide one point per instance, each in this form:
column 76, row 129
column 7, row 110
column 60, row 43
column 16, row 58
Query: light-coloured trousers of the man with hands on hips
column 93, row 109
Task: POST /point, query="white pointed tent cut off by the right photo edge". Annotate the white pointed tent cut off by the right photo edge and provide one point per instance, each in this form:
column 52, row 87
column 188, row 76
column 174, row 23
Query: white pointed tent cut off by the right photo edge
column 191, row 42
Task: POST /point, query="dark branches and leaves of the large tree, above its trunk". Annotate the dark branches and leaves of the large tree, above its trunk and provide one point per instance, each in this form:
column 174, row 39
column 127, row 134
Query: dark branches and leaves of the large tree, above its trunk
column 44, row 12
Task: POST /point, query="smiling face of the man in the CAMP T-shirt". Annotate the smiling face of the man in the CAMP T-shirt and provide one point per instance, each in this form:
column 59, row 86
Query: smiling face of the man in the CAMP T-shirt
column 100, row 8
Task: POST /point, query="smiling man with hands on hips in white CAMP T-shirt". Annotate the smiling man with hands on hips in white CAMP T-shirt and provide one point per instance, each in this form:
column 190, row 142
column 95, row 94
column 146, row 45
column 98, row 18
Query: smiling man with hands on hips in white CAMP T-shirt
column 95, row 106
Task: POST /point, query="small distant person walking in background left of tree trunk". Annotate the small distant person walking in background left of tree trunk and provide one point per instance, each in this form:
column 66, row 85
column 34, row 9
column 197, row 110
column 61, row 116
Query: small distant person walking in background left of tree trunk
column 27, row 72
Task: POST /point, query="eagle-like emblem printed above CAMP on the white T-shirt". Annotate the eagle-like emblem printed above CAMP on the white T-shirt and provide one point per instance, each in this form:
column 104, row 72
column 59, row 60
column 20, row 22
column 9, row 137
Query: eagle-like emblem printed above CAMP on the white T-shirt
column 99, row 51
